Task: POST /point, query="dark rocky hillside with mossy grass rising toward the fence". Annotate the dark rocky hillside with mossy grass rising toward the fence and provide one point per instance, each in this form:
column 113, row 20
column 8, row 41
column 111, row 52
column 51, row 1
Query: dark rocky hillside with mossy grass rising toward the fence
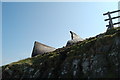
column 96, row 57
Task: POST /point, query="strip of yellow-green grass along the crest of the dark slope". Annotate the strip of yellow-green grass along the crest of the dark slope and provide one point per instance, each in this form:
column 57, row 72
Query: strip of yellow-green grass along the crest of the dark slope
column 81, row 46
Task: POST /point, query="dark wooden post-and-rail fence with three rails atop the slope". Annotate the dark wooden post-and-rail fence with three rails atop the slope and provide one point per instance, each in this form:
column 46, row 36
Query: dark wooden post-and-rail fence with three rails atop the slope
column 111, row 24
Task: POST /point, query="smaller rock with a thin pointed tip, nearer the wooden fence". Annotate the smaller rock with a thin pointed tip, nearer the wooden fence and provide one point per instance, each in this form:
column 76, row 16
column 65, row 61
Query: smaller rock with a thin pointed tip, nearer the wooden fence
column 74, row 39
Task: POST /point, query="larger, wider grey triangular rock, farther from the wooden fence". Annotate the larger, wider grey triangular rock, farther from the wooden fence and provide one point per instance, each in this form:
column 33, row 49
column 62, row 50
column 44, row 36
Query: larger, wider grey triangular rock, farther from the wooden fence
column 40, row 48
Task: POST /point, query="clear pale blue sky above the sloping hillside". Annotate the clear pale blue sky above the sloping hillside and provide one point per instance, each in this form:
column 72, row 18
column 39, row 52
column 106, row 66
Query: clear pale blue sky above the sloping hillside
column 23, row 23
